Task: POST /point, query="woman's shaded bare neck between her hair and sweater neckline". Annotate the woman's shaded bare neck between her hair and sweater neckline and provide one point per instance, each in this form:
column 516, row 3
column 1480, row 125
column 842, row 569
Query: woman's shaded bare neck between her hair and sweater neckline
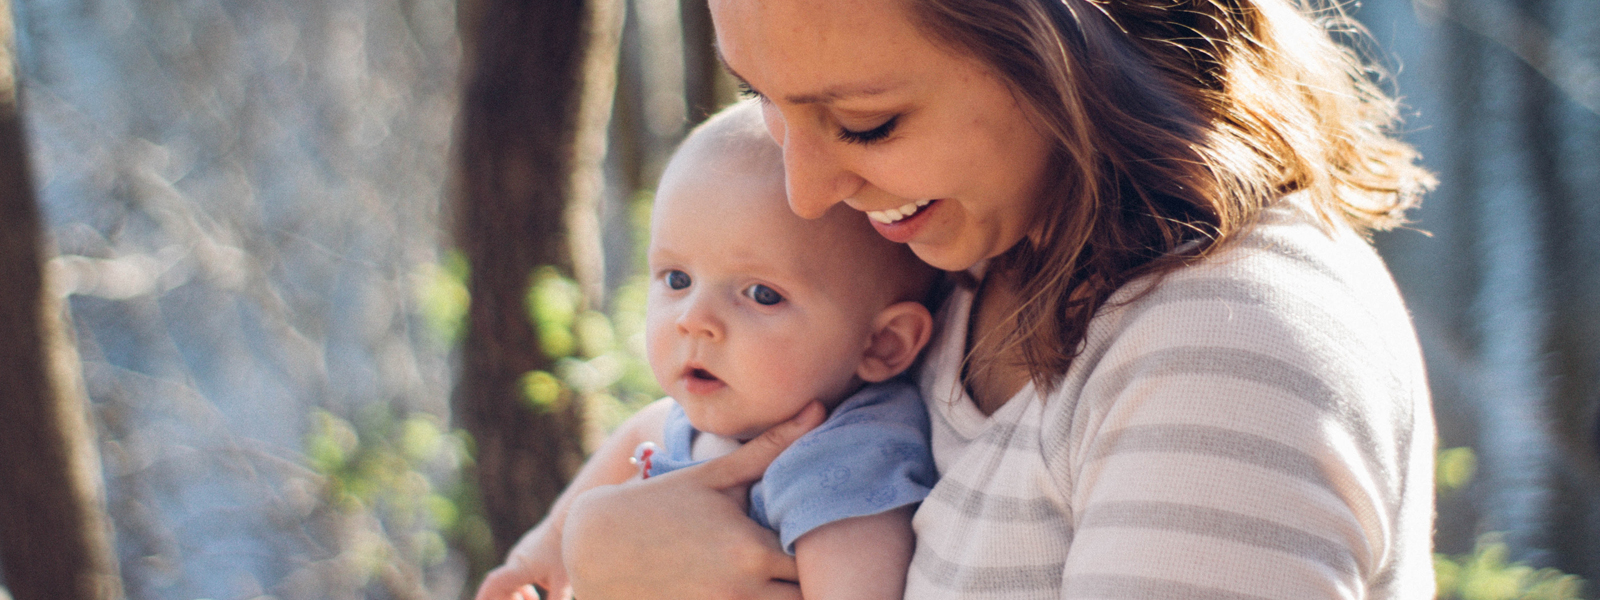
column 994, row 377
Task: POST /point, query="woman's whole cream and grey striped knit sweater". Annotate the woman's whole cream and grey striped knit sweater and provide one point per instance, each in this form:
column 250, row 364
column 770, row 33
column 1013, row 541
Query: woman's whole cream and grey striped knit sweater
column 1258, row 426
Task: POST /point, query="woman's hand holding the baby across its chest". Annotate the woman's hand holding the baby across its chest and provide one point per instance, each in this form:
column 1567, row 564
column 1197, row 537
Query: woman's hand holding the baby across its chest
column 686, row 535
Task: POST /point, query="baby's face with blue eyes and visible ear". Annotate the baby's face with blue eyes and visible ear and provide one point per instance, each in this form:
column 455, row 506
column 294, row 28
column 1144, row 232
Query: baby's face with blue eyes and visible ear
column 754, row 311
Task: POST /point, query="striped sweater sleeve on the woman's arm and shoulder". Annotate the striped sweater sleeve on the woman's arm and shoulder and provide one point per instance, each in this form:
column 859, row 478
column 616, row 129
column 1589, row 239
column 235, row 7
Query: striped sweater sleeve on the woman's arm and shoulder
column 1258, row 430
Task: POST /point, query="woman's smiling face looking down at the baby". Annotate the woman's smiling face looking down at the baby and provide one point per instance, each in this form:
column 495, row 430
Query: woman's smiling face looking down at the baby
column 930, row 145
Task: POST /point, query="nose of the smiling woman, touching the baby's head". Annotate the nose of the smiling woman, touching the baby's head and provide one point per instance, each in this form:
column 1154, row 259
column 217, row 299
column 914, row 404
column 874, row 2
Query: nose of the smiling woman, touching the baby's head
column 814, row 172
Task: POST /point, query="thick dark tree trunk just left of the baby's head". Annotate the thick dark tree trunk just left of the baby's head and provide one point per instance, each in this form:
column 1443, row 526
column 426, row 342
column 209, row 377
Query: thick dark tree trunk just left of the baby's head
column 532, row 137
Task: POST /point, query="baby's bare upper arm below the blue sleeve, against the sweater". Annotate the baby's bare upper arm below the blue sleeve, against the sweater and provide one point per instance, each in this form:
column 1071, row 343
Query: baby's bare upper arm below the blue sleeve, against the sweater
column 860, row 558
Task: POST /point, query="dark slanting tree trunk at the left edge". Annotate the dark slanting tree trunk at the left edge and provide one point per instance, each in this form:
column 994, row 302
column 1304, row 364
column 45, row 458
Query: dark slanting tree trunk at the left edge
column 55, row 538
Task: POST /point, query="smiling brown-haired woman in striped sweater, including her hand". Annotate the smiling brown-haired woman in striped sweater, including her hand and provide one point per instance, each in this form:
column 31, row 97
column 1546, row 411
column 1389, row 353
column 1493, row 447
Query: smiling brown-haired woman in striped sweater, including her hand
column 1177, row 369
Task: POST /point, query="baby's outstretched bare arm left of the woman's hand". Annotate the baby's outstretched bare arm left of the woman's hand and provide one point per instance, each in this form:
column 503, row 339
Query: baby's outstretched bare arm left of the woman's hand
column 537, row 559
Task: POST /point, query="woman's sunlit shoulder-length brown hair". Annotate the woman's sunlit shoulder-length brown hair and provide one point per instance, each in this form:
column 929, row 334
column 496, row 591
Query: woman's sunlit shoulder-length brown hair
column 1177, row 124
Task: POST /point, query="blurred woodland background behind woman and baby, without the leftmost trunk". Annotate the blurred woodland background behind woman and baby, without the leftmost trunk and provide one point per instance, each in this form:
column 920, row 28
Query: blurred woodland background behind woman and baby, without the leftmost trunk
column 286, row 238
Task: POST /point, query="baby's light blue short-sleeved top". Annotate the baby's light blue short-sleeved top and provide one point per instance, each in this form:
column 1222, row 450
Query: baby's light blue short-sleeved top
column 870, row 457
